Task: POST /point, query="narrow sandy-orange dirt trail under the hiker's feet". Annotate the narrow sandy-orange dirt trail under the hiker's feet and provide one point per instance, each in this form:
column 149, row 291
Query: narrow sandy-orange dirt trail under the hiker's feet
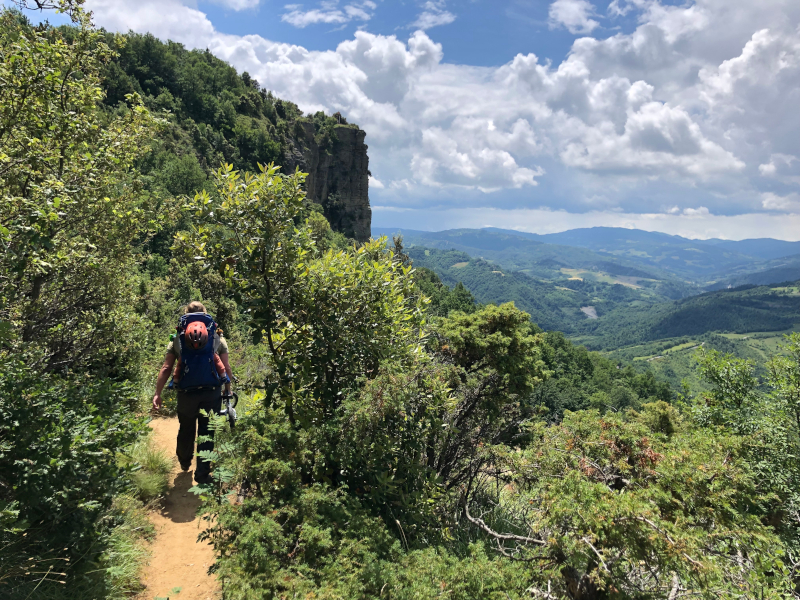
column 178, row 560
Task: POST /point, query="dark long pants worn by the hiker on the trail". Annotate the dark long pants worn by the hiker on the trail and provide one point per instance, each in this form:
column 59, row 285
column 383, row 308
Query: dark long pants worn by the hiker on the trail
column 191, row 422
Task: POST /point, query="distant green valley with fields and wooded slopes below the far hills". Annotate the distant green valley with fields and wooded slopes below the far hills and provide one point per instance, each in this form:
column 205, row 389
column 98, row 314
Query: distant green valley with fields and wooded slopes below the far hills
column 632, row 324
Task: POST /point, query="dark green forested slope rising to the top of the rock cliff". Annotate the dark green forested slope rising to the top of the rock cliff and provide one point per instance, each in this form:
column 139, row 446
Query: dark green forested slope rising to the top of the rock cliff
column 208, row 115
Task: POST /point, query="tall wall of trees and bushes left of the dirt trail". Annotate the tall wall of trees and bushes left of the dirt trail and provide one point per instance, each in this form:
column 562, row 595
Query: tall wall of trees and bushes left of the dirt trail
column 73, row 220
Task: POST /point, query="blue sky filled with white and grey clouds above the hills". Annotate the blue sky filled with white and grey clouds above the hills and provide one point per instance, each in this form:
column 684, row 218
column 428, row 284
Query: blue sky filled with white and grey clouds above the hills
column 535, row 115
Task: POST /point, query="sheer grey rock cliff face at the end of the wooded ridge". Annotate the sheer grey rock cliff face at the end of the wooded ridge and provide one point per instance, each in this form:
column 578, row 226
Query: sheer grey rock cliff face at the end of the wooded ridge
column 338, row 176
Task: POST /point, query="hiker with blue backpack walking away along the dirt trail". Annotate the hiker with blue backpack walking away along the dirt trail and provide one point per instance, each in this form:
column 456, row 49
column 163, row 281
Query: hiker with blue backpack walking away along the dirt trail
column 198, row 348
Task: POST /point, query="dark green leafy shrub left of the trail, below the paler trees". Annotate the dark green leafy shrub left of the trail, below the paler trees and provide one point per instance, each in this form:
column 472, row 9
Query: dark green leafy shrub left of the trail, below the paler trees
column 58, row 467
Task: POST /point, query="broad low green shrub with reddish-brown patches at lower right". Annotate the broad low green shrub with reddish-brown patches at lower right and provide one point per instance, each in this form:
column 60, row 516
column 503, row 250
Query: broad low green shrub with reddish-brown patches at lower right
column 598, row 504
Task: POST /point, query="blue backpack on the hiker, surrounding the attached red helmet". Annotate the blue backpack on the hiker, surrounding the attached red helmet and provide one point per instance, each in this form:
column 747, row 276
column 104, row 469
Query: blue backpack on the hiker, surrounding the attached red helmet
column 198, row 369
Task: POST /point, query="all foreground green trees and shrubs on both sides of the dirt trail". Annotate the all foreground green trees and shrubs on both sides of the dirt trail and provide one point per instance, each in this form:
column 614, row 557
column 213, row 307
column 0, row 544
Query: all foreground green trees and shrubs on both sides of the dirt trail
column 396, row 439
